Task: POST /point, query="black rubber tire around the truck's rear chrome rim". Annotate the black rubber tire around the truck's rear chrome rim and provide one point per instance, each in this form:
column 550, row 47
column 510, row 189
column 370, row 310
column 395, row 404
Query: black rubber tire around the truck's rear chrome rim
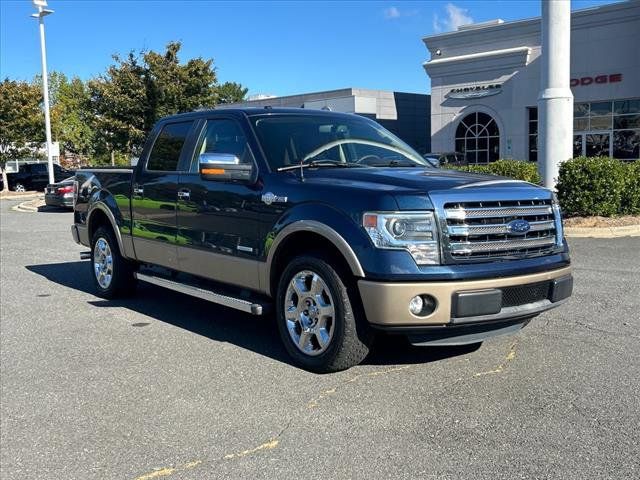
column 122, row 281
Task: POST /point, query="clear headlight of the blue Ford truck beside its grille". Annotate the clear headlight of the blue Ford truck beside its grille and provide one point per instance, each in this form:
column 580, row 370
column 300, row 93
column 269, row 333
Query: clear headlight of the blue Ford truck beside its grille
column 415, row 232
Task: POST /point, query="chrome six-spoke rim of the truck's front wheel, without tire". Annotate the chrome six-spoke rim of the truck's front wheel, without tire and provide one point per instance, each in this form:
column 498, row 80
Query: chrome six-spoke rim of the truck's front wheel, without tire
column 309, row 312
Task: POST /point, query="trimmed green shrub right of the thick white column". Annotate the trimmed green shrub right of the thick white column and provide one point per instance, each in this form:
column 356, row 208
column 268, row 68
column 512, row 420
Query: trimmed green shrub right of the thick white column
column 594, row 186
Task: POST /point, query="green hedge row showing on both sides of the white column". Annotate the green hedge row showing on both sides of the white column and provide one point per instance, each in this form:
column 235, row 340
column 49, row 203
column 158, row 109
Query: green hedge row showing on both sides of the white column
column 586, row 186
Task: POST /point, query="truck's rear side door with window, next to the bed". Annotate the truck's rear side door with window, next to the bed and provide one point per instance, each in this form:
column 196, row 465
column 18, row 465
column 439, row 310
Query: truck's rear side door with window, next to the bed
column 154, row 194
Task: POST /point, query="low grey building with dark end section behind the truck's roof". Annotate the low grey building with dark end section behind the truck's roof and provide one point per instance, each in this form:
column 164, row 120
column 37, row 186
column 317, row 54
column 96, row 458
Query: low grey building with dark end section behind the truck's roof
column 404, row 114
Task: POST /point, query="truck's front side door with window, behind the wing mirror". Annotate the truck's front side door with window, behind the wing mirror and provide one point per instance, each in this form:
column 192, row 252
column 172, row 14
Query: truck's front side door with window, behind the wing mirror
column 219, row 218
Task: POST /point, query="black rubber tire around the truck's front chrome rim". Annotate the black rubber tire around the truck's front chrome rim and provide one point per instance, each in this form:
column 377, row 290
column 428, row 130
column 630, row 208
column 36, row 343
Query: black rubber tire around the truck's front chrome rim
column 350, row 337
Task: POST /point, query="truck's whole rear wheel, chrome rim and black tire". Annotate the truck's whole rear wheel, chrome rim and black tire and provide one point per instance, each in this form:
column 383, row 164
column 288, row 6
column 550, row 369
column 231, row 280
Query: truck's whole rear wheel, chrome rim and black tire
column 113, row 275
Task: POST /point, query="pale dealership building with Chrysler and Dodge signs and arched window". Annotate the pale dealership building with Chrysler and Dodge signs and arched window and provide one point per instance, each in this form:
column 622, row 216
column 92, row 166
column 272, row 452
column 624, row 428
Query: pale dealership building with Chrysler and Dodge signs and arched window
column 485, row 81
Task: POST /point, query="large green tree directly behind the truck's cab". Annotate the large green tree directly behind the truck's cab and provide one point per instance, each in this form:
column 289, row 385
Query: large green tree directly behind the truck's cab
column 141, row 88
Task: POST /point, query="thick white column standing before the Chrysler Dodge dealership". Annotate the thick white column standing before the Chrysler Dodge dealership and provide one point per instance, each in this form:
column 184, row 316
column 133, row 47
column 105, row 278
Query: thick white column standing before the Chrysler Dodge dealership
column 555, row 101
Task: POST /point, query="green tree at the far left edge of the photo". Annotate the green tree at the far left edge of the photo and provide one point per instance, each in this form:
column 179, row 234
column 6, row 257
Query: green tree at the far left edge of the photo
column 21, row 122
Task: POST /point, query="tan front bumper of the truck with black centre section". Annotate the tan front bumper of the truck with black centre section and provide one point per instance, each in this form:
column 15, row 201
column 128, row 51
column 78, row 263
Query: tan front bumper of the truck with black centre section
column 386, row 304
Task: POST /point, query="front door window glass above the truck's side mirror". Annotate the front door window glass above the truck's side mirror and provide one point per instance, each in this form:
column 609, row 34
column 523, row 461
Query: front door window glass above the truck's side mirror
column 225, row 136
